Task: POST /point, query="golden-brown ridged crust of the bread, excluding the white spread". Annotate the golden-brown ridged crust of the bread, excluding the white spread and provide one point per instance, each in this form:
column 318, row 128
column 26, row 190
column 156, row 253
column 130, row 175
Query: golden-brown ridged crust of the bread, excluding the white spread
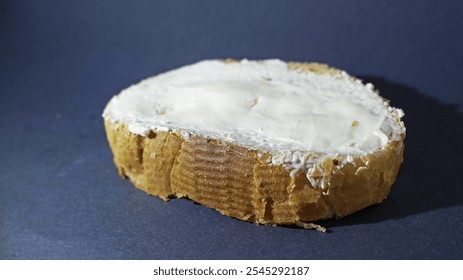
column 243, row 183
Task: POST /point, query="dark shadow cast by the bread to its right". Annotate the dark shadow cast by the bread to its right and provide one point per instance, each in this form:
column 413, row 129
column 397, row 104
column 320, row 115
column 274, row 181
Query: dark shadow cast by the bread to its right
column 430, row 177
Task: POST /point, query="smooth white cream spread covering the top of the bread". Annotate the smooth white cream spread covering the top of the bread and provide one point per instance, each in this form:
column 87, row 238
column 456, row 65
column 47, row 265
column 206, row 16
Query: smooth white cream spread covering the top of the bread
column 262, row 105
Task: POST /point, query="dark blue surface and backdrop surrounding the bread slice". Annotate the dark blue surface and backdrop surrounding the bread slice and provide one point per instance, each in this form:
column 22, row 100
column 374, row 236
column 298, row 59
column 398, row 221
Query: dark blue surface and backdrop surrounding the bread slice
column 61, row 61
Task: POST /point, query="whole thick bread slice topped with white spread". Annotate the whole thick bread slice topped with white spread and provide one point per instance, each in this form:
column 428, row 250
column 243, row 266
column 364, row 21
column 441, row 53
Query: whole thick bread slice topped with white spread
column 263, row 141
